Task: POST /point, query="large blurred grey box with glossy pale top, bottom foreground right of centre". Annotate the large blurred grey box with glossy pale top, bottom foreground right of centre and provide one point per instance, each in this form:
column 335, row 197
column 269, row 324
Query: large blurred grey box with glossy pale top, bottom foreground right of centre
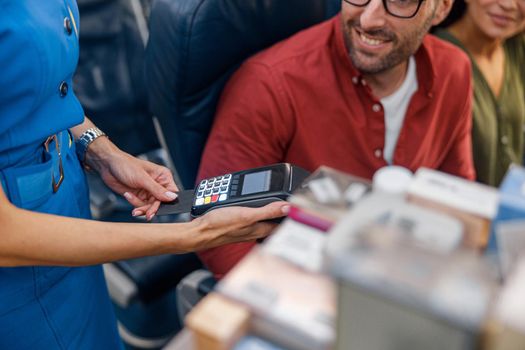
column 393, row 294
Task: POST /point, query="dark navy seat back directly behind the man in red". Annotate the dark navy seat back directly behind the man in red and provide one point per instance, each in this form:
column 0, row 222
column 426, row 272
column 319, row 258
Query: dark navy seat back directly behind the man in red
column 194, row 47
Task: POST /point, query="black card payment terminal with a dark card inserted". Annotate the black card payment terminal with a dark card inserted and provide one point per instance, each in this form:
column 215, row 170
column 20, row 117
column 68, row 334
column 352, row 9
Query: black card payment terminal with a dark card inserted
column 248, row 188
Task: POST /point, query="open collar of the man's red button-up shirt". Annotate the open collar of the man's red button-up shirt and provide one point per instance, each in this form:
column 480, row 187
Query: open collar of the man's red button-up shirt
column 424, row 59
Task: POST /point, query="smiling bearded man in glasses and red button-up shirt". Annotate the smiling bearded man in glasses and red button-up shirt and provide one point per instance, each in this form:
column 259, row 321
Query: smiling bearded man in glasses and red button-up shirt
column 362, row 90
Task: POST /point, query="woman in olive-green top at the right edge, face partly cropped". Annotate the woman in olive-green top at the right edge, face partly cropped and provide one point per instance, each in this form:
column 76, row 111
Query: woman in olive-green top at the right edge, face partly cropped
column 491, row 32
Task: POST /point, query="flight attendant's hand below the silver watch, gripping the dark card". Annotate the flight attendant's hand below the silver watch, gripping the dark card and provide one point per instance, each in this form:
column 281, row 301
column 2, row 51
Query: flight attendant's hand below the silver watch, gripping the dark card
column 144, row 184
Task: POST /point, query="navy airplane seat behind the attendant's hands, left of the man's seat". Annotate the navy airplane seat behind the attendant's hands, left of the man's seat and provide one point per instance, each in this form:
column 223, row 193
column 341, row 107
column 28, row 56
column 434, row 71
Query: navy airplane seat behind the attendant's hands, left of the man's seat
column 110, row 84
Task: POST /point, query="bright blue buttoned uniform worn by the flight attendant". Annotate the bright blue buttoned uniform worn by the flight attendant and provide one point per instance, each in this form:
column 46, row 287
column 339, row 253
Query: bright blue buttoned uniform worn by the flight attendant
column 45, row 307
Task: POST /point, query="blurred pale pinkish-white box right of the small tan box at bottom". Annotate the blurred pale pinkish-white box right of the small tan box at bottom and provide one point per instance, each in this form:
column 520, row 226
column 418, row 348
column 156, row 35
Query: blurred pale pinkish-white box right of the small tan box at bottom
column 291, row 306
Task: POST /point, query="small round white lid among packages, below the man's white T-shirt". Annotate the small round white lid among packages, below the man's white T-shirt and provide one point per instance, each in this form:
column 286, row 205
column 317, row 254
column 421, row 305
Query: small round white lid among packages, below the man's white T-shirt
column 392, row 179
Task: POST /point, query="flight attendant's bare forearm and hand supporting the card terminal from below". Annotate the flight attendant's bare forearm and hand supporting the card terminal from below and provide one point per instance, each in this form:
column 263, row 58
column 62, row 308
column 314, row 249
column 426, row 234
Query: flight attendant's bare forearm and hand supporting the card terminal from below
column 29, row 238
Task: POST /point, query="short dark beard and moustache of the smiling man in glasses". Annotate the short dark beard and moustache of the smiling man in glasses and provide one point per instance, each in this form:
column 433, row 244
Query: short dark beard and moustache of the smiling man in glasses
column 402, row 48
